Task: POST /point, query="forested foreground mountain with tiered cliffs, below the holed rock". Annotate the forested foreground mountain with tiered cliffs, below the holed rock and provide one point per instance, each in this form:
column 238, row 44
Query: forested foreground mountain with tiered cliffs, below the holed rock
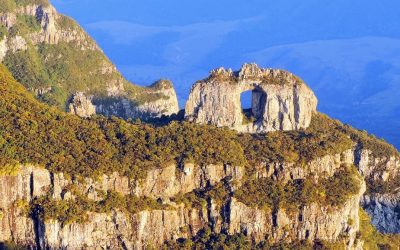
column 69, row 182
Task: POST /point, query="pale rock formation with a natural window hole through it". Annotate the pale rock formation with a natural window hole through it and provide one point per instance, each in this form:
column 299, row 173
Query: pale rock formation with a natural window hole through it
column 280, row 100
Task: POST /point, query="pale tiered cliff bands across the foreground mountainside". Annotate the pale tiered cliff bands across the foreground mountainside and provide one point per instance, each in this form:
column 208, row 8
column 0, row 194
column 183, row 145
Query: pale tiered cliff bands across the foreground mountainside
column 152, row 227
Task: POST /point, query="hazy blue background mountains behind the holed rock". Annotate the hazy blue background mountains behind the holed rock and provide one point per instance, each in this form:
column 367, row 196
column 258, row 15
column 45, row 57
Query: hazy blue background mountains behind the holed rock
column 347, row 51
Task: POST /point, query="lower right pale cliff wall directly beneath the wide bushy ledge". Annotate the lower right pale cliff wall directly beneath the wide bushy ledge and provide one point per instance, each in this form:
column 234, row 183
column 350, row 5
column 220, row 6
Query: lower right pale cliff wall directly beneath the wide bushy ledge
column 308, row 223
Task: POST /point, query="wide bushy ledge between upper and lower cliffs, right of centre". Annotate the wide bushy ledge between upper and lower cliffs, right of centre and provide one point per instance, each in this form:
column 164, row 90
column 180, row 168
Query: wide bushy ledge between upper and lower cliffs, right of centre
column 332, row 191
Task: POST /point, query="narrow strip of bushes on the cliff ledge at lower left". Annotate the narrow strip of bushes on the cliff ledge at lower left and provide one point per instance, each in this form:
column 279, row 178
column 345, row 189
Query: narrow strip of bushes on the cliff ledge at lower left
column 77, row 210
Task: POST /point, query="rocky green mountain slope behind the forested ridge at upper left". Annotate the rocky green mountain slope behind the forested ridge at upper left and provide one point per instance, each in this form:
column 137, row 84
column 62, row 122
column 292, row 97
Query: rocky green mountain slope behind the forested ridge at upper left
column 53, row 57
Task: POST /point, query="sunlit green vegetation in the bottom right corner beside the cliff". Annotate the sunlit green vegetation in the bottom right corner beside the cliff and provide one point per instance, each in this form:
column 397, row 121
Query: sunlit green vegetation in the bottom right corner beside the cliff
column 374, row 240
